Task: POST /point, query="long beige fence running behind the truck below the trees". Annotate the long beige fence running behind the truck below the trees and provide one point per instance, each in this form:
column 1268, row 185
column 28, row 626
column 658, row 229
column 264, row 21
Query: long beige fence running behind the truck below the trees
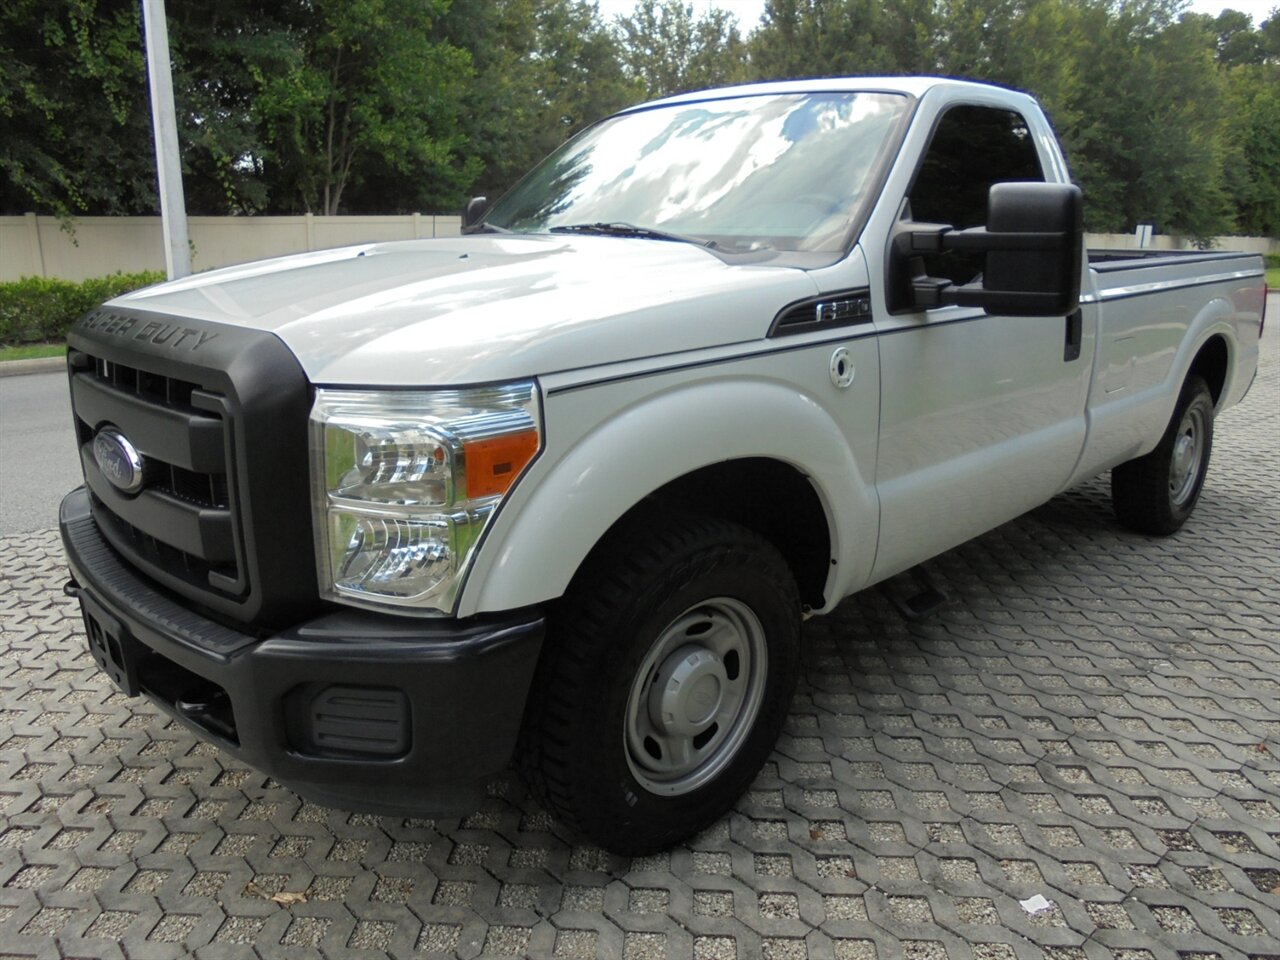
column 95, row 246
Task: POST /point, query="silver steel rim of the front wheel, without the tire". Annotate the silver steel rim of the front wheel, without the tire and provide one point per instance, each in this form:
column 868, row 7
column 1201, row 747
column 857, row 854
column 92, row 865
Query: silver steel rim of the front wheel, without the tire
column 696, row 697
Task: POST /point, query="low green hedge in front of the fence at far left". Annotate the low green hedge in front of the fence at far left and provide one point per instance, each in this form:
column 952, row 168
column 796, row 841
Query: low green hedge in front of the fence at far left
column 39, row 310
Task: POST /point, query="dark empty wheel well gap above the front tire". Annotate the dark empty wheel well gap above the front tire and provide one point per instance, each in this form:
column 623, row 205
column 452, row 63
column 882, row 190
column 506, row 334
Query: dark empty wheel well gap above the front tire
column 770, row 497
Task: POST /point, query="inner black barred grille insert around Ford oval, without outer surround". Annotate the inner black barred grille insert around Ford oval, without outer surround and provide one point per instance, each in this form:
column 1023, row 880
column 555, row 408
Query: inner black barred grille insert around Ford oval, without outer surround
column 162, row 414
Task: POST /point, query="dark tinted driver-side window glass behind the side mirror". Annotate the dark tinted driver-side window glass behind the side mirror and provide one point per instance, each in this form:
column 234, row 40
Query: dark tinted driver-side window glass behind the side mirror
column 972, row 149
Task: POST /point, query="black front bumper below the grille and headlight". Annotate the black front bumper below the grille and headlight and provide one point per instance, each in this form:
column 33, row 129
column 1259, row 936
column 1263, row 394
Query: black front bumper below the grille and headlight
column 360, row 711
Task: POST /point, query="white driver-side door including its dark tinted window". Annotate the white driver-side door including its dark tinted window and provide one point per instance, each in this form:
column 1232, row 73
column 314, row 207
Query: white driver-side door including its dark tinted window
column 982, row 418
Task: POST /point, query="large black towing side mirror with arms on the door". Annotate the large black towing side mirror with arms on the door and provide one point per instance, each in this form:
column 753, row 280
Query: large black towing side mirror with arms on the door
column 1034, row 245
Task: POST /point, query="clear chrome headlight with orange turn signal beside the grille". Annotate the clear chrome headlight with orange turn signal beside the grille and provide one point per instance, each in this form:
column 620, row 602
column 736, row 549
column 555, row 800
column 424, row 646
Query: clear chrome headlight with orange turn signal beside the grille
column 405, row 483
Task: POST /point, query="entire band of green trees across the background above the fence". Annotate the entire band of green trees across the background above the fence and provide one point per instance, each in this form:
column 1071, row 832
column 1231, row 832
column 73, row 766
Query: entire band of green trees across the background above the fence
column 394, row 106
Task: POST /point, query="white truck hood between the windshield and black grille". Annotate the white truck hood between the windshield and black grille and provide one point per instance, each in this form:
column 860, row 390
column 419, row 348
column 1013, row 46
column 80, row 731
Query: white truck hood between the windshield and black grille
column 486, row 308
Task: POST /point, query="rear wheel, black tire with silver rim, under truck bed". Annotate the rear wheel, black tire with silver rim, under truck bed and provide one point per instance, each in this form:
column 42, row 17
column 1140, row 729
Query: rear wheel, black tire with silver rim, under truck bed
column 1156, row 493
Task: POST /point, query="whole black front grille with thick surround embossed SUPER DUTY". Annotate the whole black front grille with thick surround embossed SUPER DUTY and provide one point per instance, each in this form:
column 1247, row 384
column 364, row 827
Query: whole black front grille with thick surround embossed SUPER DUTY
column 220, row 414
